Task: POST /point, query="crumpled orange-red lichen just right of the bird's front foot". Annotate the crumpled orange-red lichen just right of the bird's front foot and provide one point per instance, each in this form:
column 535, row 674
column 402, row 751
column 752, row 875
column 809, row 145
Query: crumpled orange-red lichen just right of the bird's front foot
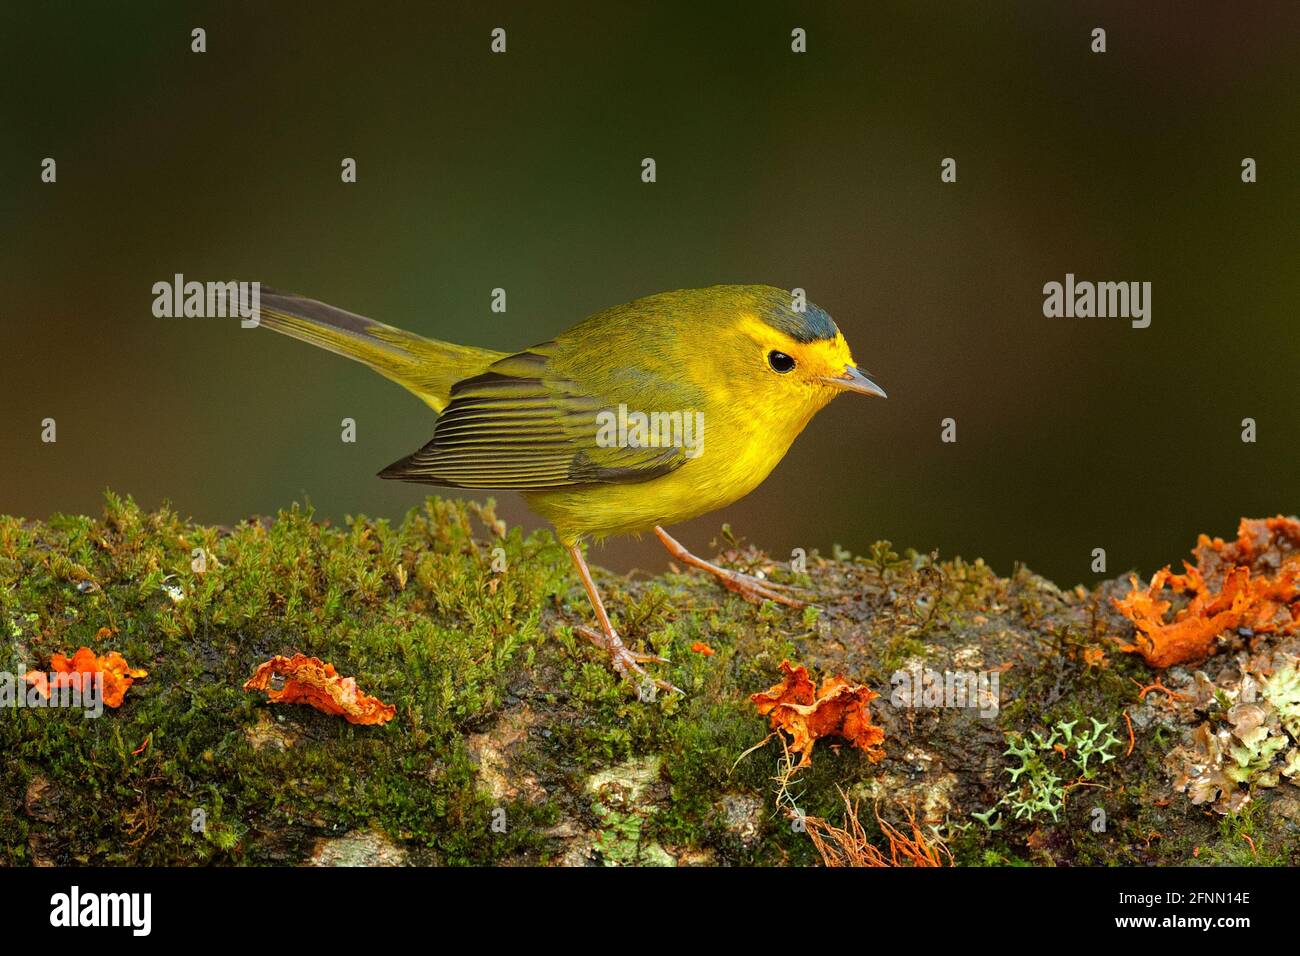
column 807, row 715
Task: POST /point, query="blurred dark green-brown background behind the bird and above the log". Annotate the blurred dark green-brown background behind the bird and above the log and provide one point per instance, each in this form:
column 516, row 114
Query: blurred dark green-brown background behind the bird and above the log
column 821, row 171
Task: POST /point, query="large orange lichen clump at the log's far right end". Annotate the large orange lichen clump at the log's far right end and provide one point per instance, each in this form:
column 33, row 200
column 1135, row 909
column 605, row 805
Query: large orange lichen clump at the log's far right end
column 1253, row 583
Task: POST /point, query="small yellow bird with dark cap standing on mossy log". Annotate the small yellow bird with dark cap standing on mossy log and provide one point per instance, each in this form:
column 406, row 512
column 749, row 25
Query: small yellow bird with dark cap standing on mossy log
column 640, row 417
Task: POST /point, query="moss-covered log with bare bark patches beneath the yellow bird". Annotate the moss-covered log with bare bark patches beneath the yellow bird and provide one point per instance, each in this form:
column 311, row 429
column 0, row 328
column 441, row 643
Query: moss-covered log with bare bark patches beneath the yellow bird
column 513, row 741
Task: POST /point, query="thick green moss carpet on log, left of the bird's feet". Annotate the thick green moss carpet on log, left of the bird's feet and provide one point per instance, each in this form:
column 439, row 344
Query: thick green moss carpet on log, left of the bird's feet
column 411, row 612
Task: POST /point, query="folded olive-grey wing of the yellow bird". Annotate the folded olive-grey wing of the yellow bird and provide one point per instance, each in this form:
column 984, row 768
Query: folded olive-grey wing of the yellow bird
column 521, row 426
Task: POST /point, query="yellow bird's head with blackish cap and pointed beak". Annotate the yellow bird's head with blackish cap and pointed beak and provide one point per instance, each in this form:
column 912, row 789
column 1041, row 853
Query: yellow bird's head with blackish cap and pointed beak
column 788, row 356
